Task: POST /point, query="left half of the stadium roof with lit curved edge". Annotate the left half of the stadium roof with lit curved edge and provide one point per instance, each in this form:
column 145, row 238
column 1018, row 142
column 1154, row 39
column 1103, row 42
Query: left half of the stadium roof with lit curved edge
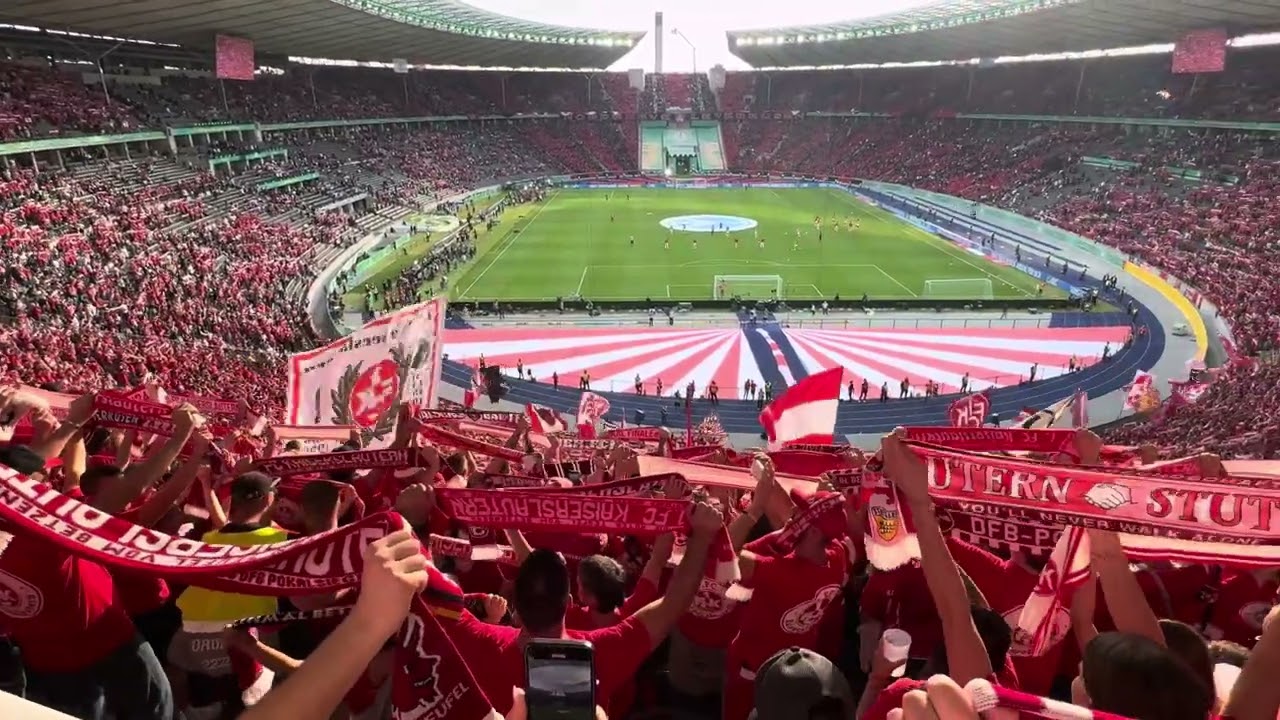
column 440, row 33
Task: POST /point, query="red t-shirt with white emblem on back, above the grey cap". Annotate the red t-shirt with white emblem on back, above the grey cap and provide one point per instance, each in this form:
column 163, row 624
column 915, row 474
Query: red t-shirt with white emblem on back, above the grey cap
column 789, row 601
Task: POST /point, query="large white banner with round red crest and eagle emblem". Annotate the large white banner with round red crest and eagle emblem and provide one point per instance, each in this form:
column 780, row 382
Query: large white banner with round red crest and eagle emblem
column 364, row 379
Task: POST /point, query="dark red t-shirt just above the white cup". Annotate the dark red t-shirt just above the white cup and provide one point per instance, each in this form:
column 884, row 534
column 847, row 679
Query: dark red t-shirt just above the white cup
column 900, row 599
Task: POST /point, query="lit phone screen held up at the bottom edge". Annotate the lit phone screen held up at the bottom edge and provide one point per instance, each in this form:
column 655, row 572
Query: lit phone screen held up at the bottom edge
column 560, row 682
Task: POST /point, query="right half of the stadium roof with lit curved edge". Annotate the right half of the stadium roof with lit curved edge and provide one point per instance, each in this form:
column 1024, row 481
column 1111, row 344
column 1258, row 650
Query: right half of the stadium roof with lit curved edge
column 961, row 30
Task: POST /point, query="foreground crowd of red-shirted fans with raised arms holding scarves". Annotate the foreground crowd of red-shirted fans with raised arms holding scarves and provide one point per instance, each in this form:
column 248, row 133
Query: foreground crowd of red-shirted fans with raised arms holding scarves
column 807, row 625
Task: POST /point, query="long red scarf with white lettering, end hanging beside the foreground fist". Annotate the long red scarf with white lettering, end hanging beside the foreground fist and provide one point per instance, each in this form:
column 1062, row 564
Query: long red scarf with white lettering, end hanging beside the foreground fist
column 323, row 563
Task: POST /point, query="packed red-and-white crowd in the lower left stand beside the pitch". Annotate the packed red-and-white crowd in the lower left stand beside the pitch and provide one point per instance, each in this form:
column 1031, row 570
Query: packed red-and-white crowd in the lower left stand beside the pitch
column 120, row 271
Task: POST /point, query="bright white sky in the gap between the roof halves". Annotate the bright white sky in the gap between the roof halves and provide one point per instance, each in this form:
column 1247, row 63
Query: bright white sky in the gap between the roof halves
column 703, row 22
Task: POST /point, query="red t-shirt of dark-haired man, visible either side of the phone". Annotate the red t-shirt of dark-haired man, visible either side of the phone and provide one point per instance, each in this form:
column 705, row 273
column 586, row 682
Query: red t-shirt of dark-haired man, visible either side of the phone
column 499, row 654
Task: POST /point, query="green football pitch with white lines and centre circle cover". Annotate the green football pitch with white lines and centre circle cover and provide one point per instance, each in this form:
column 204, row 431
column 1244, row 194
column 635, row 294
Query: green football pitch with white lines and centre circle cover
column 612, row 245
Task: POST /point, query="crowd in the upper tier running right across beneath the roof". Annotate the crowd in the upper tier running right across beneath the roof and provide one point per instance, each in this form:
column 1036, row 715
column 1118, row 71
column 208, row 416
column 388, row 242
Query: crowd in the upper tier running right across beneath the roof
column 36, row 99
